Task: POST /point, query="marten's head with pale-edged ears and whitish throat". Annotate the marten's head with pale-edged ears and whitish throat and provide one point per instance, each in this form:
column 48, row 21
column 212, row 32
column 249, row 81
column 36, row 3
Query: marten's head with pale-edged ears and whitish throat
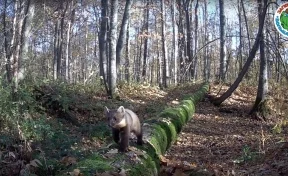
column 116, row 117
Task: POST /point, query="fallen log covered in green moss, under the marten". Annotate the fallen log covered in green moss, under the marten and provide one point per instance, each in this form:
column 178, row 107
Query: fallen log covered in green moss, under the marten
column 159, row 134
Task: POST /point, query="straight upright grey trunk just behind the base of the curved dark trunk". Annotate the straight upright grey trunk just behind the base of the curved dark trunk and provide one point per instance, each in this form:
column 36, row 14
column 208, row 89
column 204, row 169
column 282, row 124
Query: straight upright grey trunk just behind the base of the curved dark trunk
column 222, row 42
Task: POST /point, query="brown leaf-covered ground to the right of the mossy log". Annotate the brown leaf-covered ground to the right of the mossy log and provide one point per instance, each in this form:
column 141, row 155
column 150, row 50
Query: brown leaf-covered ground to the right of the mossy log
column 226, row 141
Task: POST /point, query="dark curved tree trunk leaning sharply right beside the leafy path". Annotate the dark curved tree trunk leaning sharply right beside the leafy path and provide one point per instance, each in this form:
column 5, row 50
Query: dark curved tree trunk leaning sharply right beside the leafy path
column 250, row 58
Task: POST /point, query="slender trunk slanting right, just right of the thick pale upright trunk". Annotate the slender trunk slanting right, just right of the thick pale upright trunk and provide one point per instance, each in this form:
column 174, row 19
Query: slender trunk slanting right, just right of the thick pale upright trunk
column 122, row 34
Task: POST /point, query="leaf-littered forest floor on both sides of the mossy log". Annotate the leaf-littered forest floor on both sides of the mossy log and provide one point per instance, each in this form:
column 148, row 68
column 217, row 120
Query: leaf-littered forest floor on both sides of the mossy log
column 217, row 141
